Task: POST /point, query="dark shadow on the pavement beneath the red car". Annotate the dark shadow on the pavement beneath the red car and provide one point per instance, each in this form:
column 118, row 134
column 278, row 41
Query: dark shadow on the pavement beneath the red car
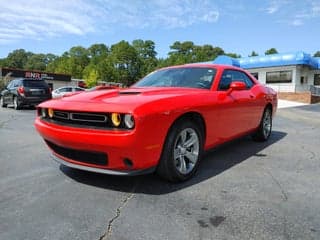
column 214, row 162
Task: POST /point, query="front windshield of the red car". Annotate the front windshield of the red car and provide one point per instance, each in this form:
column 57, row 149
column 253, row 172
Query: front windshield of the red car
column 191, row 77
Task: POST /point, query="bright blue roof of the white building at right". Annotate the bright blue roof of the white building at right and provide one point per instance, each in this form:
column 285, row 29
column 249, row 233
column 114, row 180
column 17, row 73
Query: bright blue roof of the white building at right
column 272, row 60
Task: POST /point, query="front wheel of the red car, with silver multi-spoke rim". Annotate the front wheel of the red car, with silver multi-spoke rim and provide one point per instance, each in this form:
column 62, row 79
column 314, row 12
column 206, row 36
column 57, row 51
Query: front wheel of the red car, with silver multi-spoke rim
column 182, row 152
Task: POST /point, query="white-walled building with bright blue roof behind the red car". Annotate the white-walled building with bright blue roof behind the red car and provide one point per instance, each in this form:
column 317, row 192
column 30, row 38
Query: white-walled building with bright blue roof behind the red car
column 288, row 72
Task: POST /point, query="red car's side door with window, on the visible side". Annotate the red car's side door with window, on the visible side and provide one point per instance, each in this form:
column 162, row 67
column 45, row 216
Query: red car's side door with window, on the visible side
column 238, row 106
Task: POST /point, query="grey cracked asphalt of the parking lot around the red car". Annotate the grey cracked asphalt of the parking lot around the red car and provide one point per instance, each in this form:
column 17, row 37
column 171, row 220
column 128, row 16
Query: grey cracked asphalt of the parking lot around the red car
column 243, row 190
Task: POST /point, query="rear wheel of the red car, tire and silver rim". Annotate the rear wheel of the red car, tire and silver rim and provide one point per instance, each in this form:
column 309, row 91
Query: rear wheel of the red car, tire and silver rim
column 265, row 126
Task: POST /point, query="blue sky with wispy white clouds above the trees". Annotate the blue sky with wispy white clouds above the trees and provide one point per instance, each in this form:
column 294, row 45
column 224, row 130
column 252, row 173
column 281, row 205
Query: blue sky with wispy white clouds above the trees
column 236, row 26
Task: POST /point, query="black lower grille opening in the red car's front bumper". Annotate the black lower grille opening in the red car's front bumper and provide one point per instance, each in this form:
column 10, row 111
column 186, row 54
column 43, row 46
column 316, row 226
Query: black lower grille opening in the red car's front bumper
column 96, row 158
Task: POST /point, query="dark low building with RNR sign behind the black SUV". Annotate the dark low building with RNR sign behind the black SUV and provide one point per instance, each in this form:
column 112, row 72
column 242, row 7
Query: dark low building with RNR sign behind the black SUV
column 53, row 79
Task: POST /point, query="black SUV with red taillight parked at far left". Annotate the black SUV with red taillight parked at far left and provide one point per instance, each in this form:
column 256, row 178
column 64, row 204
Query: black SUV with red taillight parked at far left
column 25, row 92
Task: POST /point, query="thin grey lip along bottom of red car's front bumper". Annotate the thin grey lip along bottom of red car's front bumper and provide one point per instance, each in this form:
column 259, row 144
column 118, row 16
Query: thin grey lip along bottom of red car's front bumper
column 105, row 171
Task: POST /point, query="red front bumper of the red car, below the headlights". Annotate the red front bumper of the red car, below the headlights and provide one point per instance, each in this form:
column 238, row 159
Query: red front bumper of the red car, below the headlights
column 137, row 146
